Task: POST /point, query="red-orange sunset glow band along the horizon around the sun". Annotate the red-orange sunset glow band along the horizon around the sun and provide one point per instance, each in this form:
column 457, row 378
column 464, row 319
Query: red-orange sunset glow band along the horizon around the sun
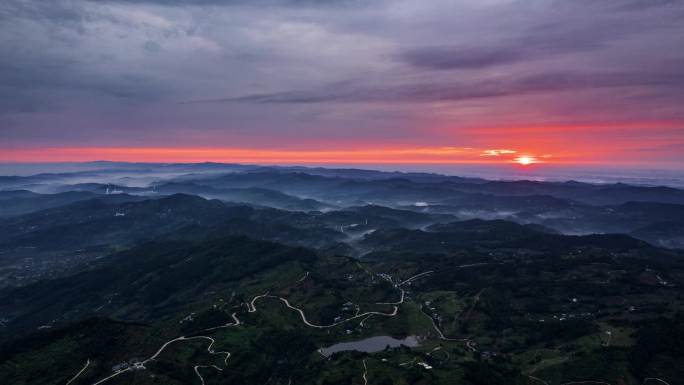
column 578, row 144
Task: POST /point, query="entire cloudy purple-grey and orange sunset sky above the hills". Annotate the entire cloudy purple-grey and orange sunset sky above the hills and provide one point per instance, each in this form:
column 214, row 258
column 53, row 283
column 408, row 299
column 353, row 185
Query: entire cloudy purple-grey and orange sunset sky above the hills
column 555, row 82
